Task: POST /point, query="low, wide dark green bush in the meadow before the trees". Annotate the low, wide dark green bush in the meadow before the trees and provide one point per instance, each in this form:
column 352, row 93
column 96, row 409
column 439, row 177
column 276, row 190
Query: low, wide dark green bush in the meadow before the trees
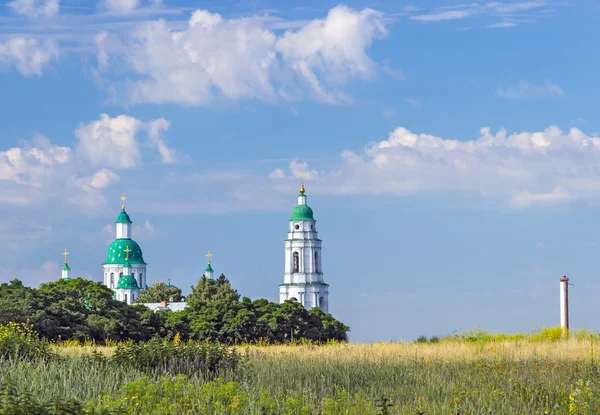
column 164, row 357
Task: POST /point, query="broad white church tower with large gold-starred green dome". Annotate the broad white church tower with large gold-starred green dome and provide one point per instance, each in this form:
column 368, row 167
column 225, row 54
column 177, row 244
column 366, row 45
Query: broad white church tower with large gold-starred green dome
column 115, row 256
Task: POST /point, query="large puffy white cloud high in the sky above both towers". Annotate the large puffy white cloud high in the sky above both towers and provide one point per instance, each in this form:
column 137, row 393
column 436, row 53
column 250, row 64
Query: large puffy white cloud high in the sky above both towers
column 216, row 58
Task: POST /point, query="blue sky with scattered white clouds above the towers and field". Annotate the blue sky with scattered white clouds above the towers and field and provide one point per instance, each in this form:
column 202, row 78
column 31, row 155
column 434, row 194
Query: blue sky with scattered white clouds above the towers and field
column 451, row 150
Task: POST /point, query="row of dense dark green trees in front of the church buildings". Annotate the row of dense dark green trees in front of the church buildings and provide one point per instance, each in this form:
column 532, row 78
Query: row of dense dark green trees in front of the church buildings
column 85, row 310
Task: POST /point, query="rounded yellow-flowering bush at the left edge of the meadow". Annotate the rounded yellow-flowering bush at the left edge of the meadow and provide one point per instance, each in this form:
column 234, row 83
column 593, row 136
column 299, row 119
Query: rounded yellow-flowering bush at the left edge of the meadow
column 18, row 341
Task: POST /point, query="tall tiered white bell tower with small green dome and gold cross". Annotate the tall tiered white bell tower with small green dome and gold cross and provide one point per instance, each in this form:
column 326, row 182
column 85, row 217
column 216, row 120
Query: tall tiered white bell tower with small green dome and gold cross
column 303, row 277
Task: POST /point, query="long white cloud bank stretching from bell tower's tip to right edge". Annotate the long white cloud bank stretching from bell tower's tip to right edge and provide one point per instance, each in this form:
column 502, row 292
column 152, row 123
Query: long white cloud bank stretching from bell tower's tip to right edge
column 524, row 169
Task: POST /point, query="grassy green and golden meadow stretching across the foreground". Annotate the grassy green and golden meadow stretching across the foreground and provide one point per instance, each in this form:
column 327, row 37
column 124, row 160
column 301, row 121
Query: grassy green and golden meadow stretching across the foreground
column 470, row 373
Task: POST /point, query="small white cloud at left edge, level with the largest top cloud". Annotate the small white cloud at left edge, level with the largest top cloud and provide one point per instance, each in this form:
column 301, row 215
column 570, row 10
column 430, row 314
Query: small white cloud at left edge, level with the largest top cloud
column 30, row 56
